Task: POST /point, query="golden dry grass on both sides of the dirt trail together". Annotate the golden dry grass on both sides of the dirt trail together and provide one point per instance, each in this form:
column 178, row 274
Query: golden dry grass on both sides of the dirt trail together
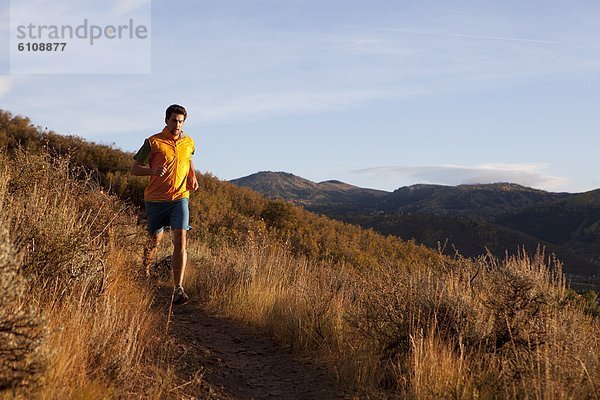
column 418, row 328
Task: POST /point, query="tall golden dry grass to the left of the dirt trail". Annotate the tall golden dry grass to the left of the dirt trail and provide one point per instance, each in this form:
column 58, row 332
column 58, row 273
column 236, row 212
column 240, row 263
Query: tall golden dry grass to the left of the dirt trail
column 74, row 254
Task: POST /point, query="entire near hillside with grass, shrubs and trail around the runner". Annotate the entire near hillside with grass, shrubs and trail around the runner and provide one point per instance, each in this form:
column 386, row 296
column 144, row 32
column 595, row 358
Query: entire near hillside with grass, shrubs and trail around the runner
column 377, row 317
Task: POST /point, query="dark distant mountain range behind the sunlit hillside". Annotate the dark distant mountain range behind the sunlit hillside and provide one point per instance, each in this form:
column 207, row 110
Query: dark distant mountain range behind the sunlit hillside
column 499, row 218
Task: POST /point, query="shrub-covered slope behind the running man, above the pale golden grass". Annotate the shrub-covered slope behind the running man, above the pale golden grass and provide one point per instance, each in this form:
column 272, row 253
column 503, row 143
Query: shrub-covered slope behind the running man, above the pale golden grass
column 220, row 211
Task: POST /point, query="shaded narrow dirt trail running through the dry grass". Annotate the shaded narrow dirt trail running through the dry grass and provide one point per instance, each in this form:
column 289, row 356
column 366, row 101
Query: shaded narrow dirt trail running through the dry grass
column 240, row 363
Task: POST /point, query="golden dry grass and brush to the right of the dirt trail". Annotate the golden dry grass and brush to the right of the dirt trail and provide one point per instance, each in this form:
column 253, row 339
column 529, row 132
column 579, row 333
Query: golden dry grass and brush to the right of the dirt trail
column 455, row 329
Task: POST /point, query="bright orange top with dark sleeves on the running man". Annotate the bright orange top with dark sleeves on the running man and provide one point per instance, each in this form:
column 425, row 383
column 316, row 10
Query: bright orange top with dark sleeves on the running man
column 176, row 155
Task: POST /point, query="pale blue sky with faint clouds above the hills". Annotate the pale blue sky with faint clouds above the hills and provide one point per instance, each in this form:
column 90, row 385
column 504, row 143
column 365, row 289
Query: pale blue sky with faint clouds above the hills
column 376, row 93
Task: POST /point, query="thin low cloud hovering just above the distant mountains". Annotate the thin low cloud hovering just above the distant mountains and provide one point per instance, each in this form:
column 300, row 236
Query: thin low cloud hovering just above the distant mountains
column 527, row 174
